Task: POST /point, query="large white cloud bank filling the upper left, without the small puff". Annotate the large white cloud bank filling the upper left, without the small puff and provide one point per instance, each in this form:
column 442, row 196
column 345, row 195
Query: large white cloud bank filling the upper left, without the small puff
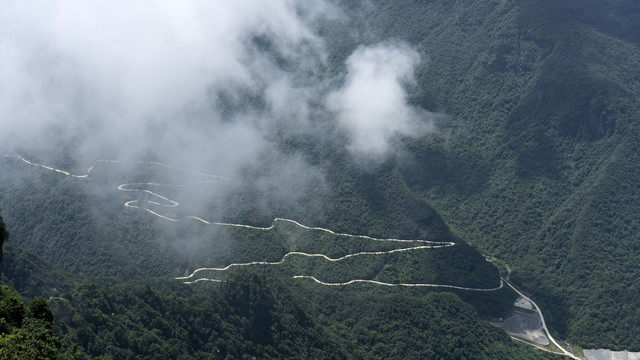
column 133, row 80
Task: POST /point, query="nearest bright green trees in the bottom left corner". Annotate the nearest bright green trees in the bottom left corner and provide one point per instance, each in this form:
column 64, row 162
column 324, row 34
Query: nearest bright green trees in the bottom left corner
column 27, row 332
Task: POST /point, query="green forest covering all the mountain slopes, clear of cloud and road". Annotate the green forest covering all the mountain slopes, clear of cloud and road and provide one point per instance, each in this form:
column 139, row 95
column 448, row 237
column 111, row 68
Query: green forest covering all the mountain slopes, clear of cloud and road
column 535, row 164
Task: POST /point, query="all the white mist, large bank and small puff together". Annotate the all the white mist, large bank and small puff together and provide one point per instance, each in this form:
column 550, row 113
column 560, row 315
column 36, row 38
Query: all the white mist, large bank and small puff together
column 214, row 87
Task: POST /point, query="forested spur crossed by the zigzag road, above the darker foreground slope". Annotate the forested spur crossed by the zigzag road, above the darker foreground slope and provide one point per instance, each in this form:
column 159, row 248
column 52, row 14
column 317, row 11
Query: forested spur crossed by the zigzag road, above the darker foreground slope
column 92, row 235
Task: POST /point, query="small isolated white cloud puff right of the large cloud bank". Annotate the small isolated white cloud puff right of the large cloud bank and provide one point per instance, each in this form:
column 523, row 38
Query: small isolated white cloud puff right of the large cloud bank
column 371, row 107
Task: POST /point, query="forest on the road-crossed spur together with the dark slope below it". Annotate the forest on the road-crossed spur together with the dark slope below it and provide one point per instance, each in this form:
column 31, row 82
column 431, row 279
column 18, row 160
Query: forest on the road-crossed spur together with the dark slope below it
column 253, row 315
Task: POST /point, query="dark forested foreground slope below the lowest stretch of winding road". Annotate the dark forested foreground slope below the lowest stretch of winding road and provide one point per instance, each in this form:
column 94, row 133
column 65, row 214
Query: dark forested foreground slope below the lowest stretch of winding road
column 256, row 316
